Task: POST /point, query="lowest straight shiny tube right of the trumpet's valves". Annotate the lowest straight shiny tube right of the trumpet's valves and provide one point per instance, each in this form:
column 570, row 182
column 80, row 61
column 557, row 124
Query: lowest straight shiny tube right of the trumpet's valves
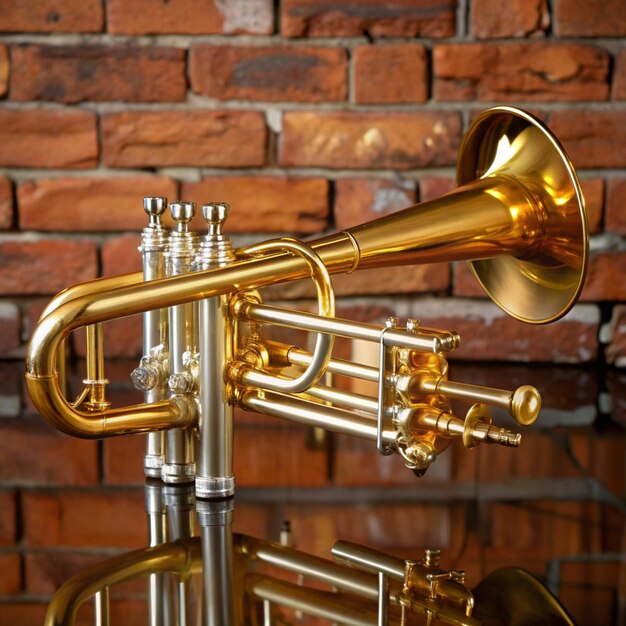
column 313, row 414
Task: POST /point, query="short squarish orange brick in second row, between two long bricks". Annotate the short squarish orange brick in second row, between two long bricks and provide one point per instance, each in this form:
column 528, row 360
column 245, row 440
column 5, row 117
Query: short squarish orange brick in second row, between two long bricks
column 390, row 74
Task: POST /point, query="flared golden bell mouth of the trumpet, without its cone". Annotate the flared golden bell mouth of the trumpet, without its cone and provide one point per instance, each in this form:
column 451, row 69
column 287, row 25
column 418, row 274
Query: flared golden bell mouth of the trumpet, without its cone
column 543, row 284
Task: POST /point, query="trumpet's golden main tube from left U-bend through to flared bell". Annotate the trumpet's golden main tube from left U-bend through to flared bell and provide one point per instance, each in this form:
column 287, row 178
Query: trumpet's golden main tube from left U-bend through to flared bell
column 520, row 218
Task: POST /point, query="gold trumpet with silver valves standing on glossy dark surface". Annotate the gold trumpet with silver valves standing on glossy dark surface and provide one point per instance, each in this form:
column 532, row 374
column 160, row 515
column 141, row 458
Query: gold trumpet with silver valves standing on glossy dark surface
column 517, row 216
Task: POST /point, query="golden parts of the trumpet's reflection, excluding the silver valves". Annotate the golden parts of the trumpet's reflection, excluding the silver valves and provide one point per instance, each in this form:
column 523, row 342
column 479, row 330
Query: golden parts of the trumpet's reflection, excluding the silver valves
column 346, row 590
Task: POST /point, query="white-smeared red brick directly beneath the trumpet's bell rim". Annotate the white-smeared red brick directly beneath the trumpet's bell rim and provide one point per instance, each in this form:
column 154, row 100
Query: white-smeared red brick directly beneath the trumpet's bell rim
column 489, row 334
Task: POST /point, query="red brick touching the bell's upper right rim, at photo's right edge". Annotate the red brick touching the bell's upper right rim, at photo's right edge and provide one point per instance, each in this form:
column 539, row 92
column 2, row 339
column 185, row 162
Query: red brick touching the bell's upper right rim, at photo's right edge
column 592, row 138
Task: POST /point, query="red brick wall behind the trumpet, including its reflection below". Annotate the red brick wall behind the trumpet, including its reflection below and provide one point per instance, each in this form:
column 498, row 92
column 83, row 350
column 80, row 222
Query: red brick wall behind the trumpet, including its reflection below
column 308, row 115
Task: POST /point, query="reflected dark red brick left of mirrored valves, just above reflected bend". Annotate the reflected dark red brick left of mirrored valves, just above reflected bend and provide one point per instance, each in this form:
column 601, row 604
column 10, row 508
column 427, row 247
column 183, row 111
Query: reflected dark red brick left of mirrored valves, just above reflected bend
column 84, row 518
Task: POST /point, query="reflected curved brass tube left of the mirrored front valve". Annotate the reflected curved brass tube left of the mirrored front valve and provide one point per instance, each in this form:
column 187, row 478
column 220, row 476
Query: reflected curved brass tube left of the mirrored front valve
column 181, row 557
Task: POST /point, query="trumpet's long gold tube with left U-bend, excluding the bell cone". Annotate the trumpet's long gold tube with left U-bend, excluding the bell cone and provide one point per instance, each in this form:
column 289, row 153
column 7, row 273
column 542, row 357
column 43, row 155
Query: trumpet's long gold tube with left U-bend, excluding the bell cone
column 132, row 298
